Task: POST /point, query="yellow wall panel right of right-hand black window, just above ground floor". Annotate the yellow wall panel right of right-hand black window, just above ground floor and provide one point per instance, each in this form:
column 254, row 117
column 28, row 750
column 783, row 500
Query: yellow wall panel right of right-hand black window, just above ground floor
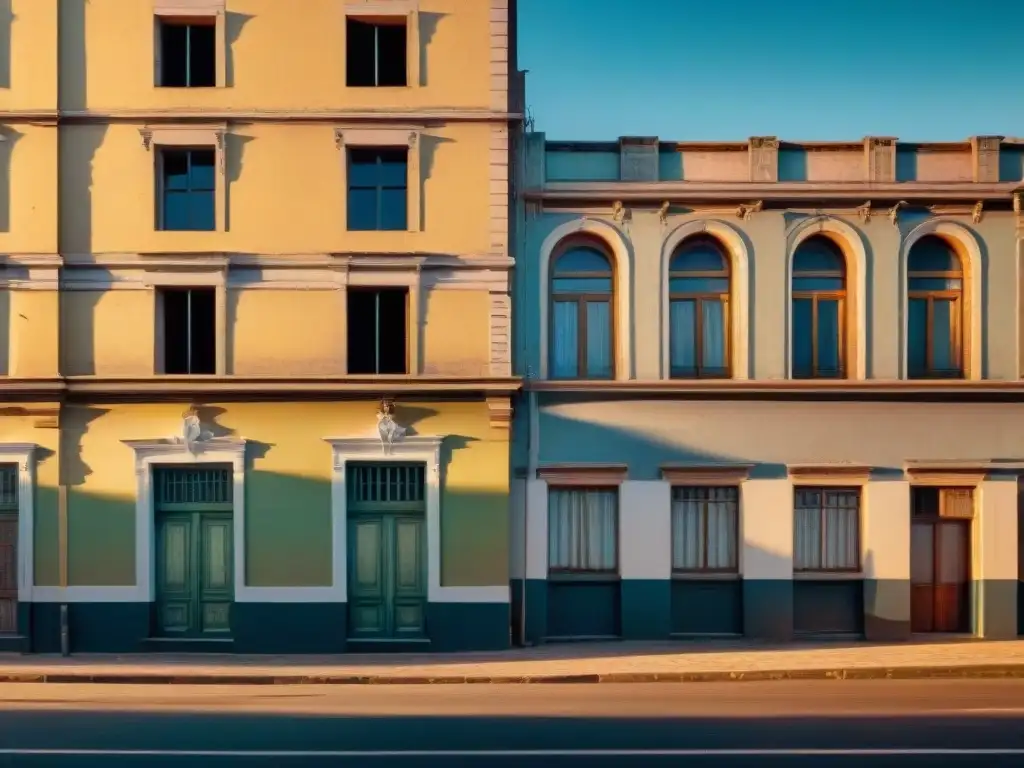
column 454, row 345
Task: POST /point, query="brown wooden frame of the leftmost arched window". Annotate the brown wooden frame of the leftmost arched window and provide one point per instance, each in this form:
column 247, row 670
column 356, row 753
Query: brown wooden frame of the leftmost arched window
column 581, row 301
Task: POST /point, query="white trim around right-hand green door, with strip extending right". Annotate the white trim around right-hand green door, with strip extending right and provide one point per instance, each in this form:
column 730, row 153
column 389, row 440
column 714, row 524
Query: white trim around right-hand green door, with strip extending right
column 412, row 449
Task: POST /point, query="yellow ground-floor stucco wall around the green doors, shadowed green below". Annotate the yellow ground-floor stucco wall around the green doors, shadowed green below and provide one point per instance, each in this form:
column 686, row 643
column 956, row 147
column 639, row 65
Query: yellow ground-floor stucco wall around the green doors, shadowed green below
column 288, row 488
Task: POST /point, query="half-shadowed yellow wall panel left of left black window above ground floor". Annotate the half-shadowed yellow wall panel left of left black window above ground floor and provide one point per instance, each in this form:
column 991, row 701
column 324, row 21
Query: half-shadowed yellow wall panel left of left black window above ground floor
column 108, row 333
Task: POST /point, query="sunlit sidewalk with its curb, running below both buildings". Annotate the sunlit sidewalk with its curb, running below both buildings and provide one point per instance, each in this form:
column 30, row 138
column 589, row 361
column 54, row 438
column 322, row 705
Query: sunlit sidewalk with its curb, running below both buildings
column 599, row 663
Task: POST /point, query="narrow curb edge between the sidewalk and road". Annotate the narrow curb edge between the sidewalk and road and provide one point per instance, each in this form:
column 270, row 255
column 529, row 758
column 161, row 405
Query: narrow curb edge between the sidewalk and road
column 864, row 673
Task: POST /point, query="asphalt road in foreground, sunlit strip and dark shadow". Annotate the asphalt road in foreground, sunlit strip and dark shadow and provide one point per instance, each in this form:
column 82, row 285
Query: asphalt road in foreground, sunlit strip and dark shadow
column 832, row 724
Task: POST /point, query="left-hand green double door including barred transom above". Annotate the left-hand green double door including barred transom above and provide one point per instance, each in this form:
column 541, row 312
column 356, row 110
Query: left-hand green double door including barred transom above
column 195, row 551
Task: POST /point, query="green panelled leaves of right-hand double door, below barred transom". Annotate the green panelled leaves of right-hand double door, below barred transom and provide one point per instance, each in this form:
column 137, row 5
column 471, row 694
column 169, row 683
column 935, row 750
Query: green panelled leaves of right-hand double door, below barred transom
column 388, row 577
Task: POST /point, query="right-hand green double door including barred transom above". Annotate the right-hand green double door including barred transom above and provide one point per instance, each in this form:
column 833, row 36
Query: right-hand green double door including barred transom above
column 388, row 553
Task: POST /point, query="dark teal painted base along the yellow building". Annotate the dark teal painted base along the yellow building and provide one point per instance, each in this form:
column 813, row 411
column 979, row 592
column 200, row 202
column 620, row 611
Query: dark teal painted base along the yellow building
column 260, row 628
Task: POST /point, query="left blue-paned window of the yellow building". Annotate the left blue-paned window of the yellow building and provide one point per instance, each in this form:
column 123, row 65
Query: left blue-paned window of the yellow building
column 189, row 190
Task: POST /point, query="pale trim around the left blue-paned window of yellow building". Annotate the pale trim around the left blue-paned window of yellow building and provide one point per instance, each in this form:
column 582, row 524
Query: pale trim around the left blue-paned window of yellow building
column 214, row 138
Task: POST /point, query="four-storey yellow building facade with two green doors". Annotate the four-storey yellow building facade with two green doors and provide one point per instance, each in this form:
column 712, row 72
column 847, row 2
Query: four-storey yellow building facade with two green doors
column 255, row 321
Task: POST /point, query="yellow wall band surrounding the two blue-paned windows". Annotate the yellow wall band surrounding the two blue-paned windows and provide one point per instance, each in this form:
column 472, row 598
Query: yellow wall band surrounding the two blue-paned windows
column 285, row 190
